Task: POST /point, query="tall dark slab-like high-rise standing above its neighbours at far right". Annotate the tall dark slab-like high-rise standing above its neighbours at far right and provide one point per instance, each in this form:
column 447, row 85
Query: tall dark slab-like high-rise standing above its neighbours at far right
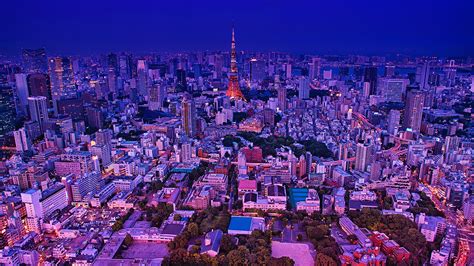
column 413, row 110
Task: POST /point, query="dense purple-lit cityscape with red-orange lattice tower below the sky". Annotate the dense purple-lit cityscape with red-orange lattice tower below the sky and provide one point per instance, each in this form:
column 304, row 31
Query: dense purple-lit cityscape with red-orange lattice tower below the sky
column 236, row 157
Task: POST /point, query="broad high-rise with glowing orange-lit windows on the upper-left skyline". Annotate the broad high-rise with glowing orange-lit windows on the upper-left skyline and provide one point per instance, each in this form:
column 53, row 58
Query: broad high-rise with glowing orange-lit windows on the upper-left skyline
column 62, row 78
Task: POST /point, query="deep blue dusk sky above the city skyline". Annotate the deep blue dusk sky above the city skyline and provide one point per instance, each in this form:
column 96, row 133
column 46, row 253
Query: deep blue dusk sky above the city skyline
column 415, row 27
